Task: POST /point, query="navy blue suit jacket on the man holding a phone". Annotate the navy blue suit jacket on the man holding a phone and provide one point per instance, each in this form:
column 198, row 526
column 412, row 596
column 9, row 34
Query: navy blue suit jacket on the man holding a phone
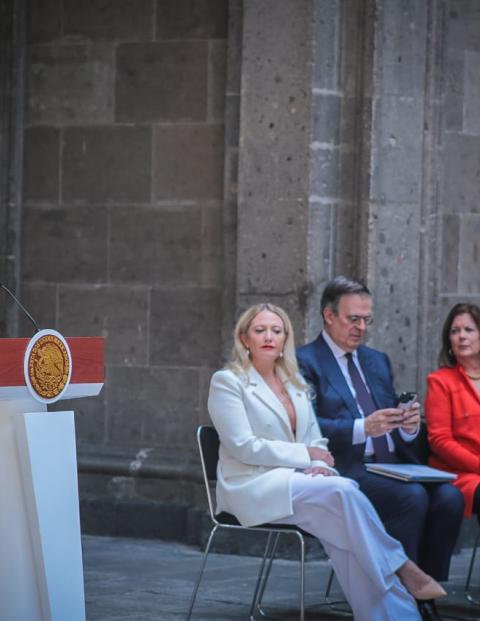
column 336, row 407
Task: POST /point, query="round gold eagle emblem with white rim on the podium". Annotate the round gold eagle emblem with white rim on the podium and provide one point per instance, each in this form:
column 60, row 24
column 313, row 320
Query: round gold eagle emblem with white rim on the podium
column 48, row 365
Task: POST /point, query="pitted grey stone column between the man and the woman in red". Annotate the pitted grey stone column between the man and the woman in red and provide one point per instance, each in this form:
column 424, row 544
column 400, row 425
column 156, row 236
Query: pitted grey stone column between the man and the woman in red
column 392, row 201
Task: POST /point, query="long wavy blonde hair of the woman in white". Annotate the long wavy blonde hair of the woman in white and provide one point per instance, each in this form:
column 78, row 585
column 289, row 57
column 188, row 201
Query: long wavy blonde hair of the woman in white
column 240, row 361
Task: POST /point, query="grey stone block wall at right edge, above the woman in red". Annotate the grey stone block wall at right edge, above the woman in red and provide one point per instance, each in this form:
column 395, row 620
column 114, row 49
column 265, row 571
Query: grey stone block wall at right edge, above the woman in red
column 459, row 173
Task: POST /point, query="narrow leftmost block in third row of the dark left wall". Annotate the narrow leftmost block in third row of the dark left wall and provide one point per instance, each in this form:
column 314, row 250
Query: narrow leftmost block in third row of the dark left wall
column 41, row 165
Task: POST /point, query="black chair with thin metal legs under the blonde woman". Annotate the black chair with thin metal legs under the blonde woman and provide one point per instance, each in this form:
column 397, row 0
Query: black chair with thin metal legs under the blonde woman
column 208, row 443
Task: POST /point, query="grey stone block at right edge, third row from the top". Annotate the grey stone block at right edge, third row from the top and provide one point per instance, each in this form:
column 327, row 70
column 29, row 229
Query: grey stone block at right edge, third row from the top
column 461, row 179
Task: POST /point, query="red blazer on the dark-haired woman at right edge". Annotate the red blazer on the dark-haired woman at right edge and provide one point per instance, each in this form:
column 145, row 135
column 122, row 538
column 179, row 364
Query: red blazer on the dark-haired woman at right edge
column 452, row 410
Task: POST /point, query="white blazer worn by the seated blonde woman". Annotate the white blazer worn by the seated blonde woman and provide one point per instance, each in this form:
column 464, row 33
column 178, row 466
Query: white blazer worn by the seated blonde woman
column 258, row 450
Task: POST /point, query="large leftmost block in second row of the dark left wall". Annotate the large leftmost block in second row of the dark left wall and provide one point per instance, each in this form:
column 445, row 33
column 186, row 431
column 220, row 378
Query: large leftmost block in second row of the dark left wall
column 70, row 84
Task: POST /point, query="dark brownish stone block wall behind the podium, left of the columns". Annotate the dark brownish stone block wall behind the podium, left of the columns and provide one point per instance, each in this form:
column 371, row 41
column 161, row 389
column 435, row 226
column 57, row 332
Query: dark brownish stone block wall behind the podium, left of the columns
column 122, row 214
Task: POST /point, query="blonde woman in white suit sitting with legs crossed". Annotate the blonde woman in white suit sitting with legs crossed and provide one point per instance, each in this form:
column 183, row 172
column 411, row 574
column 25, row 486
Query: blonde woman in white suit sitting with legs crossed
column 274, row 466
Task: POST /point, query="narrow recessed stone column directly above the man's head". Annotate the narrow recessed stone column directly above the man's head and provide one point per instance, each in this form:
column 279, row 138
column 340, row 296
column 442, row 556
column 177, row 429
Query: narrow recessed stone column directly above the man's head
column 340, row 137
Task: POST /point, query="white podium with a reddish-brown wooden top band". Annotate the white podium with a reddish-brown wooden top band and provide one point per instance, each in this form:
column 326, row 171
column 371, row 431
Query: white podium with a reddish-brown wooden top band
column 41, row 571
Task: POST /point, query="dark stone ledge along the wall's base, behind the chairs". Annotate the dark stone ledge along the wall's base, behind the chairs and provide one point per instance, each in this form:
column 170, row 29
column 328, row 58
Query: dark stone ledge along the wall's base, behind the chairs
column 153, row 493
